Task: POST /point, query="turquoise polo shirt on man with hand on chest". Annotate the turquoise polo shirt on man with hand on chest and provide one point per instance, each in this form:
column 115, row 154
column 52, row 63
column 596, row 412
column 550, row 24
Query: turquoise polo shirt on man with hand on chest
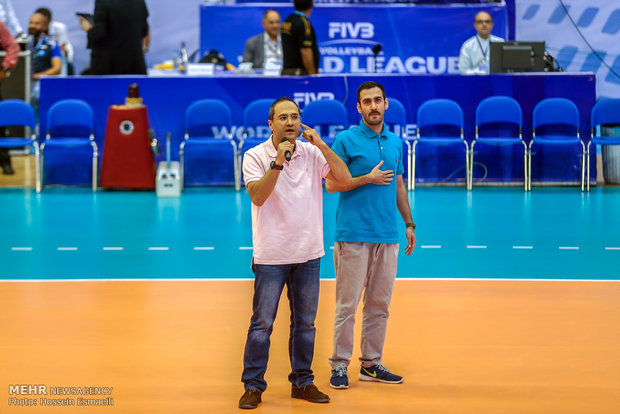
column 368, row 213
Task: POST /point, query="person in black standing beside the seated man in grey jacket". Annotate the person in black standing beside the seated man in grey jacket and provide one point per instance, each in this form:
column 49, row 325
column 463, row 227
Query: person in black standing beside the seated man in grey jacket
column 299, row 47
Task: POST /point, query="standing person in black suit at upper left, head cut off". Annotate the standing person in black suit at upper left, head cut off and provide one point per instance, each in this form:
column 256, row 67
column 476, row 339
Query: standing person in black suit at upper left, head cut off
column 118, row 38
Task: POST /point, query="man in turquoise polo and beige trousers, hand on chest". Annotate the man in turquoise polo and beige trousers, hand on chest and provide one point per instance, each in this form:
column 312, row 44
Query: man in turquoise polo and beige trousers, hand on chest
column 366, row 248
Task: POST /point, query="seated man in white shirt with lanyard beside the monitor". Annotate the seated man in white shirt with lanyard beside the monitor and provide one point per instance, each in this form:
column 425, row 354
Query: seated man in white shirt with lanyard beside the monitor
column 475, row 52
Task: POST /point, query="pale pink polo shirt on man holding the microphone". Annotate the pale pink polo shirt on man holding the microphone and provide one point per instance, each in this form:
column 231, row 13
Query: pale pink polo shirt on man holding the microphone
column 288, row 227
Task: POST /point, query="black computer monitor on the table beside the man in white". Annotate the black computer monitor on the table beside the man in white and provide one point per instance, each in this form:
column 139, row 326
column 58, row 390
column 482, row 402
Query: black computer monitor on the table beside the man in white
column 508, row 57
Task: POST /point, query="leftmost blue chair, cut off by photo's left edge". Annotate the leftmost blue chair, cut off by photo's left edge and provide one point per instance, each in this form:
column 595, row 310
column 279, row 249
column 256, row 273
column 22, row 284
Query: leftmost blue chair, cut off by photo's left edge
column 15, row 112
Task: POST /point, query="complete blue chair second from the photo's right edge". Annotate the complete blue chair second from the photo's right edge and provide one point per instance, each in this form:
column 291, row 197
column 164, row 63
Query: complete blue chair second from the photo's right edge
column 557, row 122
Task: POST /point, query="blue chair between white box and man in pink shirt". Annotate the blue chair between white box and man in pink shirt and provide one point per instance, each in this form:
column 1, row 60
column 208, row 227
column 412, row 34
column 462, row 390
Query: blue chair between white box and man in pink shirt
column 211, row 157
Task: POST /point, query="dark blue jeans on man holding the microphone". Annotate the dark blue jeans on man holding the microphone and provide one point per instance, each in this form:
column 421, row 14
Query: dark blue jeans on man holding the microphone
column 302, row 282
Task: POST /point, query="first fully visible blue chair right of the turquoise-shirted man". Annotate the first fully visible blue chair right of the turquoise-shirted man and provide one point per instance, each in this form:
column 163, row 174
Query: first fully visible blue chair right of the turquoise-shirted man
column 440, row 122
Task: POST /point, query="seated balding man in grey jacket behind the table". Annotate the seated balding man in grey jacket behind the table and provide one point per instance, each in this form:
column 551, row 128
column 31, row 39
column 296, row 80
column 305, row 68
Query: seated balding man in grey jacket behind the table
column 266, row 45
